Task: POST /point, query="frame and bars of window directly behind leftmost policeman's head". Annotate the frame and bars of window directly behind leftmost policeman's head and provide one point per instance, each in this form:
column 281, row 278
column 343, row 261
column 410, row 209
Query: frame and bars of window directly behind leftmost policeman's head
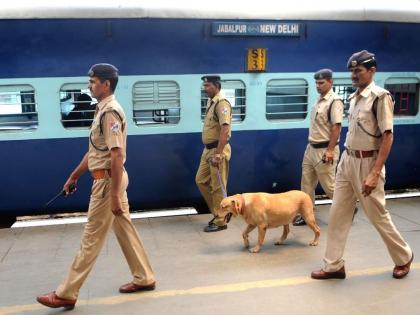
column 86, row 115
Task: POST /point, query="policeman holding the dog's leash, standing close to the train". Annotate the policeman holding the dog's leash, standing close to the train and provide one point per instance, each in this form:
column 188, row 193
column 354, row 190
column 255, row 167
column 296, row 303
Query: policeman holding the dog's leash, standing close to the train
column 214, row 164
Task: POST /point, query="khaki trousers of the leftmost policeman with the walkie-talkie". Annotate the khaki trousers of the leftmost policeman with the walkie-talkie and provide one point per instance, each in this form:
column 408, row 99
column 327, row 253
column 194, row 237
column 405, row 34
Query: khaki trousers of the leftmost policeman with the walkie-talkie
column 100, row 219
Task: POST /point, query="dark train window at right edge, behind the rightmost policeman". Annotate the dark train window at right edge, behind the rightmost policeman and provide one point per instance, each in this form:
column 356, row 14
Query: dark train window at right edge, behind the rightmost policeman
column 406, row 94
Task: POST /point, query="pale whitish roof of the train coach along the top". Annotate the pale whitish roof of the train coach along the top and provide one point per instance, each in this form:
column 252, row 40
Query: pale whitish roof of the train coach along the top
column 356, row 10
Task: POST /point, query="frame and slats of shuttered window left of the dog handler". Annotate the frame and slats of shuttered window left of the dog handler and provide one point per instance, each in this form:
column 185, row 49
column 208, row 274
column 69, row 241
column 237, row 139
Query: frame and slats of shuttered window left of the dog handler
column 160, row 116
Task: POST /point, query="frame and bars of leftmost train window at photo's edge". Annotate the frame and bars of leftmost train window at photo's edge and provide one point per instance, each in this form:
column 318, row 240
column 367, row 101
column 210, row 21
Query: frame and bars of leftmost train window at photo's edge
column 19, row 91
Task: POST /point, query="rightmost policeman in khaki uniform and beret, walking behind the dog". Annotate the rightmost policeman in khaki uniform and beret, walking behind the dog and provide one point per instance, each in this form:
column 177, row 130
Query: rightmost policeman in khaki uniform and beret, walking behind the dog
column 361, row 172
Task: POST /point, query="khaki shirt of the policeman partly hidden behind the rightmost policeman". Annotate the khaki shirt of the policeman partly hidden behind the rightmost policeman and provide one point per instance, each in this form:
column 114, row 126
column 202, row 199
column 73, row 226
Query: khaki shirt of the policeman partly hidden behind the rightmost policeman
column 320, row 128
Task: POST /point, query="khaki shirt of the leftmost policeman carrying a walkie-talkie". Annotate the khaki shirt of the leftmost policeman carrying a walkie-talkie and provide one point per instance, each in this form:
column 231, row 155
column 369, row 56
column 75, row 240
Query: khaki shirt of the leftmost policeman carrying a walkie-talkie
column 114, row 134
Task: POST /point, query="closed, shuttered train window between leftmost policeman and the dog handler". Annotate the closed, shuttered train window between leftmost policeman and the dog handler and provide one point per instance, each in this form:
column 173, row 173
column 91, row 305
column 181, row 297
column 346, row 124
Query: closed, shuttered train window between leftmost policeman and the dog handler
column 156, row 103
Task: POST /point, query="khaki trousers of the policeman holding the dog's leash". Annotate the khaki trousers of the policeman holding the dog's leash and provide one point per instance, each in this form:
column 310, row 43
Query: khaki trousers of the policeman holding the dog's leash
column 208, row 182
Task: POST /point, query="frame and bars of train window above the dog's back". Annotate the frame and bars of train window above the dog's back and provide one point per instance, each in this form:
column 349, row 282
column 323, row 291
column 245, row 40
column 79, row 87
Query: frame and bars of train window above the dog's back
column 291, row 83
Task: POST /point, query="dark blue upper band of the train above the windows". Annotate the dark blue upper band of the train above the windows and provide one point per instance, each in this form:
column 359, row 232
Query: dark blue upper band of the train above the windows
column 44, row 48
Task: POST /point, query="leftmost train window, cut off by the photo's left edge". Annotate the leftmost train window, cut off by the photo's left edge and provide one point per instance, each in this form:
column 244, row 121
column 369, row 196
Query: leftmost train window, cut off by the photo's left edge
column 18, row 108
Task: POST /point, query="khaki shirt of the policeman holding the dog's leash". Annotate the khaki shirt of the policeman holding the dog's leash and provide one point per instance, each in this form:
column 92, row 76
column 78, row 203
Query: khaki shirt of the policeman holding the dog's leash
column 215, row 117
